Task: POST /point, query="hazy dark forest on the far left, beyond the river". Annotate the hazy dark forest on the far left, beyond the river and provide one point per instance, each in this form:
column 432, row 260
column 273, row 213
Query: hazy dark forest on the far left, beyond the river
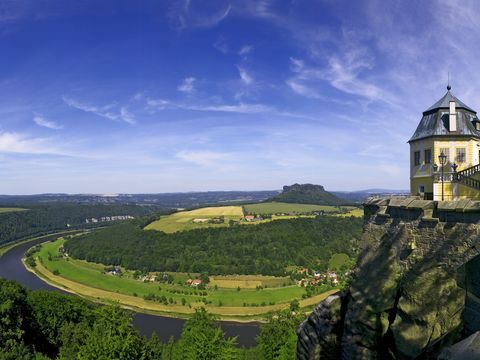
column 42, row 219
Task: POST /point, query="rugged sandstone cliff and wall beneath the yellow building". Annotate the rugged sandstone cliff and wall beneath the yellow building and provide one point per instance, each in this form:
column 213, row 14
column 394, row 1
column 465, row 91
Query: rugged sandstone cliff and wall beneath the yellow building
column 416, row 287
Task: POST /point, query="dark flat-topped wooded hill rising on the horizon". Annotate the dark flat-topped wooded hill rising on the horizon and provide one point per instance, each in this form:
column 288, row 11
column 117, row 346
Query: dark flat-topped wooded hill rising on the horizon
column 307, row 194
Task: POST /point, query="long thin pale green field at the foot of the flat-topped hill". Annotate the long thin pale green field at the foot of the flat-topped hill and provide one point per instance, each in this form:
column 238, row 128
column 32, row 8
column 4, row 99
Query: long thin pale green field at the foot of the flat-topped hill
column 279, row 207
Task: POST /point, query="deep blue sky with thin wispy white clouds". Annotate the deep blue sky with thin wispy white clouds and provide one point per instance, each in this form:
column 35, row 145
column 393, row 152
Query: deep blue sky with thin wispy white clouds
column 167, row 96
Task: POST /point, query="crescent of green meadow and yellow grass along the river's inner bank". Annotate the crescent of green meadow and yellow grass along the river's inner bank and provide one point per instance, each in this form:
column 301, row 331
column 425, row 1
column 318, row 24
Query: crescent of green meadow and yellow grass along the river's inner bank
column 78, row 277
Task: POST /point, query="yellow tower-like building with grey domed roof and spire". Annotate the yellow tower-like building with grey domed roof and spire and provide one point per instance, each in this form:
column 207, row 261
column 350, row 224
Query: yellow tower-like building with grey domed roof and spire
column 445, row 152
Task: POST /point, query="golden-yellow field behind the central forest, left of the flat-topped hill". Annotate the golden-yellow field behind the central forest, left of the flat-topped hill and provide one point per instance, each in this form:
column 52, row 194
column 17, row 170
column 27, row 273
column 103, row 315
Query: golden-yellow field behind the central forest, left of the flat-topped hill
column 183, row 220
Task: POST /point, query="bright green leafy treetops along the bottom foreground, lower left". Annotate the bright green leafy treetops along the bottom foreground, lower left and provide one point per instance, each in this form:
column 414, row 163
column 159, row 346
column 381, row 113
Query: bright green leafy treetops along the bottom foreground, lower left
column 44, row 325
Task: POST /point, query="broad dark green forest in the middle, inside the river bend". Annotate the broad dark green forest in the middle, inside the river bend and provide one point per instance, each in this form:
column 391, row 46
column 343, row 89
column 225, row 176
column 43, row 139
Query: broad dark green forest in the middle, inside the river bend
column 265, row 249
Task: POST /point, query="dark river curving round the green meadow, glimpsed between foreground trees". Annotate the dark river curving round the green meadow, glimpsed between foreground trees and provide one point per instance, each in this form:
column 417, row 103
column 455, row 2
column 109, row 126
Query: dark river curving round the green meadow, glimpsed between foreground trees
column 11, row 268
